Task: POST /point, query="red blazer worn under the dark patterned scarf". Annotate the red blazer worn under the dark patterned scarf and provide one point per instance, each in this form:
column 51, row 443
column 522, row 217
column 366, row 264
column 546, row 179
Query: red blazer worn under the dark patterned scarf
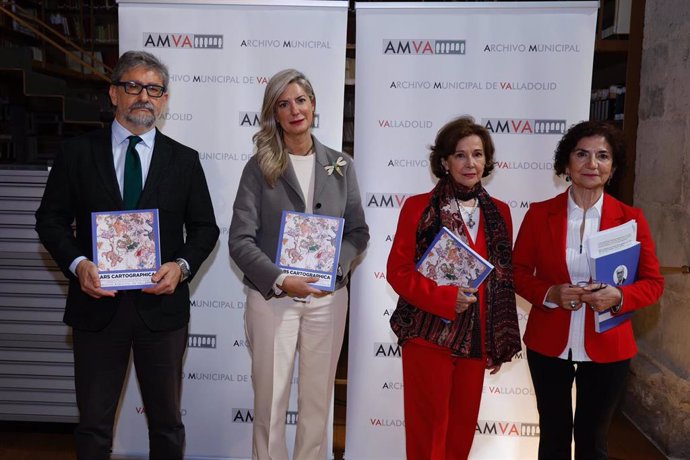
column 401, row 272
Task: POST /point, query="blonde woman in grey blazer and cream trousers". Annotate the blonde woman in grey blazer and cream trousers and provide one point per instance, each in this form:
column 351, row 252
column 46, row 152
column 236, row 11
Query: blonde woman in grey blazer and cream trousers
column 293, row 171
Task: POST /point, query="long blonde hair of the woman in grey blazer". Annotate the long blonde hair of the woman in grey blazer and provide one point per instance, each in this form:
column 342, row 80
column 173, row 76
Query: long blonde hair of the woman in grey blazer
column 270, row 150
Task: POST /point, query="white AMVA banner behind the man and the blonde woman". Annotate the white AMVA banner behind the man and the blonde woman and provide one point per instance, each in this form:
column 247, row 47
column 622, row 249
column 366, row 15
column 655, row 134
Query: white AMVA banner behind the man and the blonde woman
column 221, row 55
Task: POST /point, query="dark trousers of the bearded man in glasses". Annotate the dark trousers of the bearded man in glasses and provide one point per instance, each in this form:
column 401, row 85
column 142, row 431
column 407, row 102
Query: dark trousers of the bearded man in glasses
column 100, row 364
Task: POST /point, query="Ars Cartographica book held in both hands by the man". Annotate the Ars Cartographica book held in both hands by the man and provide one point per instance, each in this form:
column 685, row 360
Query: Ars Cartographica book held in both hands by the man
column 126, row 248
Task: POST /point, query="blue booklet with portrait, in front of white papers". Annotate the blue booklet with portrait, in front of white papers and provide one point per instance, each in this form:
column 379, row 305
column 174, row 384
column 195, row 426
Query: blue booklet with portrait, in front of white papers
column 616, row 269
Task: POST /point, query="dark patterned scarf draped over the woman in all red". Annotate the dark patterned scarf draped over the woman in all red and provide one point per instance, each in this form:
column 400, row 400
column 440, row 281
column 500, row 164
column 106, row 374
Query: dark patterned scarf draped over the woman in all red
column 463, row 335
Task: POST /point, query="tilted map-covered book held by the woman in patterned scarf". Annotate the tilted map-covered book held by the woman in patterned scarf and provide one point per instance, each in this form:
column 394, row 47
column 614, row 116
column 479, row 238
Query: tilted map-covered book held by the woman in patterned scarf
column 450, row 261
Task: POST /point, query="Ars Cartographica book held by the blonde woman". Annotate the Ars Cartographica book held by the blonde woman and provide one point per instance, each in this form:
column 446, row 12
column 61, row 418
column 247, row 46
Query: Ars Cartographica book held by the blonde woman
column 309, row 245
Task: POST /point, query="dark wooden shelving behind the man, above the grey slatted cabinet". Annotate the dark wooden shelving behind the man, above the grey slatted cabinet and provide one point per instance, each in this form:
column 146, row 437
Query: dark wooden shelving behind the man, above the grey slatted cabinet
column 57, row 59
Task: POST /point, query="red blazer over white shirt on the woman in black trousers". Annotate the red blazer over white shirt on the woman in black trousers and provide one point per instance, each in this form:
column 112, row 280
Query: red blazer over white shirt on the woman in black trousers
column 539, row 262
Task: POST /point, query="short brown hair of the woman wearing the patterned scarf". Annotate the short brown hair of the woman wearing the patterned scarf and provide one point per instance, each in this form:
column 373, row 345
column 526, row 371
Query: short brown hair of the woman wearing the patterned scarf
column 447, row 139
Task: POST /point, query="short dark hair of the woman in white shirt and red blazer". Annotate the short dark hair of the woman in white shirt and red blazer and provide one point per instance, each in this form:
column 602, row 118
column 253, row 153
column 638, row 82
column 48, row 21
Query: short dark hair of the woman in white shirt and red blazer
column 610, row 132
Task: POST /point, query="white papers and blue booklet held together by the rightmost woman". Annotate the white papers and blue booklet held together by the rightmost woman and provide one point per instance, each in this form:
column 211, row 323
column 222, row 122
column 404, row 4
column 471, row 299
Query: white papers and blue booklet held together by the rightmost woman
column 613, row 258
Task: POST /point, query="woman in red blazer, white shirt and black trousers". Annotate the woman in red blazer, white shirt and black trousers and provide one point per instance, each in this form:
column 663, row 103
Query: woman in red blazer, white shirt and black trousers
column 562, row 345
